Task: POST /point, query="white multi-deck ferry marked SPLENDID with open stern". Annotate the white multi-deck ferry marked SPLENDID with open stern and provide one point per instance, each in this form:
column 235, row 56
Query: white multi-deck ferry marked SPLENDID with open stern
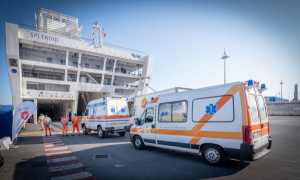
column 51, row 65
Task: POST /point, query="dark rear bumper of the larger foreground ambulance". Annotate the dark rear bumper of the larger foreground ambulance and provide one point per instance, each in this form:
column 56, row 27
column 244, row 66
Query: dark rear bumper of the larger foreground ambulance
column 248, row 153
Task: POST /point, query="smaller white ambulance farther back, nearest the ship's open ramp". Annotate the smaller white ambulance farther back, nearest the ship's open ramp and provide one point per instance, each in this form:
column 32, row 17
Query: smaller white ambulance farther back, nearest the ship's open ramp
column 106, row 115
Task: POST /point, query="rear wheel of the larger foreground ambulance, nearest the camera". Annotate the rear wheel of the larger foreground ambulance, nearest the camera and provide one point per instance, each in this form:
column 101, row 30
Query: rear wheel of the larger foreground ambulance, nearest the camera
column 213, row 155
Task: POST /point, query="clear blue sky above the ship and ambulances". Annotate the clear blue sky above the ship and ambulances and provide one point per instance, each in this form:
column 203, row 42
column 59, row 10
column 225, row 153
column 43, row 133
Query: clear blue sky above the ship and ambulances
column 187, row 38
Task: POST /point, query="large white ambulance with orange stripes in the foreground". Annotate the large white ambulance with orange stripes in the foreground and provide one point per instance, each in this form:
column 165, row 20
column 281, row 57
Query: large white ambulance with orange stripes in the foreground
column 221, row 122
